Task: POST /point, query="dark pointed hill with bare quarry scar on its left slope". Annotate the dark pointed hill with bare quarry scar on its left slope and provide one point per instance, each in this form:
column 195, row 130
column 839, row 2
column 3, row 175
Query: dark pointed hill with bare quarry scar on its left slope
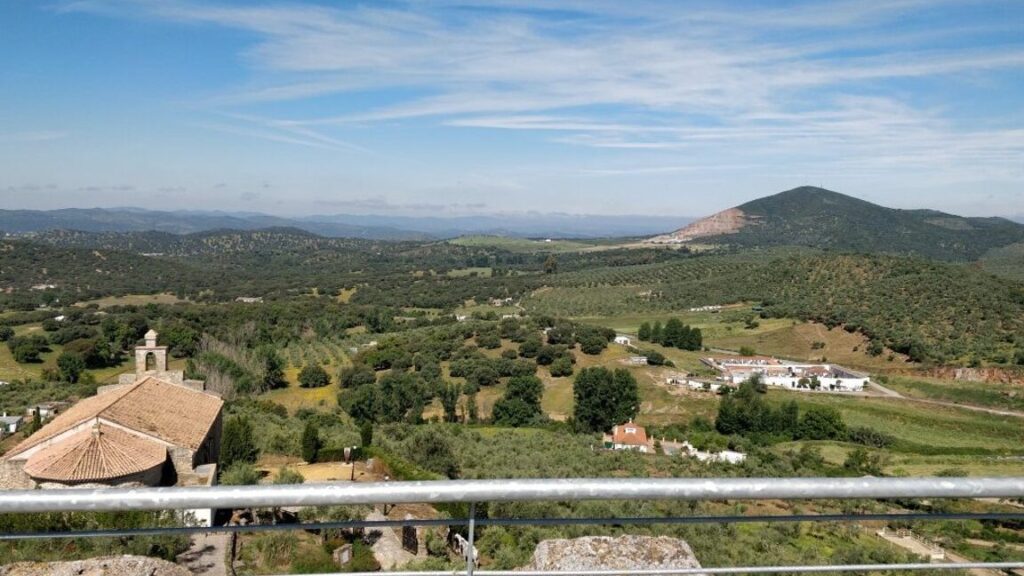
column 822, row 219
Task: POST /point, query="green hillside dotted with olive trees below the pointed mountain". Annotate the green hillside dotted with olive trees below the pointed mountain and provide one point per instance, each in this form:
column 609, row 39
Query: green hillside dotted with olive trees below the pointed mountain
column 931, row 311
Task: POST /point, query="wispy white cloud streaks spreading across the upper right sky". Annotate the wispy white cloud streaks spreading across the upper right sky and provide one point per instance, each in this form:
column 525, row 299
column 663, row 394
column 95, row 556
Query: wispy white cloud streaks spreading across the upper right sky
column 812, row 86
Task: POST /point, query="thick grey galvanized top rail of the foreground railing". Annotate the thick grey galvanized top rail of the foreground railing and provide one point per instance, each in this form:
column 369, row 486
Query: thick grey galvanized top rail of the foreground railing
column 467, row 491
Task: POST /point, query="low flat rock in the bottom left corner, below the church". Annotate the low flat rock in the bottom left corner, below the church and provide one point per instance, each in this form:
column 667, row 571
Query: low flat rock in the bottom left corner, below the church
column 108, row 566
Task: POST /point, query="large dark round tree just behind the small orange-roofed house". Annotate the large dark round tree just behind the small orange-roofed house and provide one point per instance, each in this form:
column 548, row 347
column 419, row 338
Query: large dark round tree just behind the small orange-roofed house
column 603, row 398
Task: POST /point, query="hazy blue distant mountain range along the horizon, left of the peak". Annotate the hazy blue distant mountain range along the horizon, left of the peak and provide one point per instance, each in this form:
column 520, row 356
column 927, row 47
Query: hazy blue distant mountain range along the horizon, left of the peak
column 372, row 227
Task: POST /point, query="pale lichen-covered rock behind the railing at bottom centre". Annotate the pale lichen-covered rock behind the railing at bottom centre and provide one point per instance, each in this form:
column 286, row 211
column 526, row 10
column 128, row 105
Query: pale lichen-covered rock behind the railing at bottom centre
column 624, row 553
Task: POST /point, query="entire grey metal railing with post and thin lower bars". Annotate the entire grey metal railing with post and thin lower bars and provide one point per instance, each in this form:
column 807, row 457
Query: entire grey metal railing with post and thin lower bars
column 471, row 492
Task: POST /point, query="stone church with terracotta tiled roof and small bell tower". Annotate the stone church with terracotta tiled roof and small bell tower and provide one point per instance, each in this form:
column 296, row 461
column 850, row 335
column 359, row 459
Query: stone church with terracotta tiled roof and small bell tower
column 152, row 429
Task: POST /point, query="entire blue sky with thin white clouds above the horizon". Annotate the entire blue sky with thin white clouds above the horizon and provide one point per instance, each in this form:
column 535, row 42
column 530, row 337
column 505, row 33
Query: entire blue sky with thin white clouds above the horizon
column 462, row 107
